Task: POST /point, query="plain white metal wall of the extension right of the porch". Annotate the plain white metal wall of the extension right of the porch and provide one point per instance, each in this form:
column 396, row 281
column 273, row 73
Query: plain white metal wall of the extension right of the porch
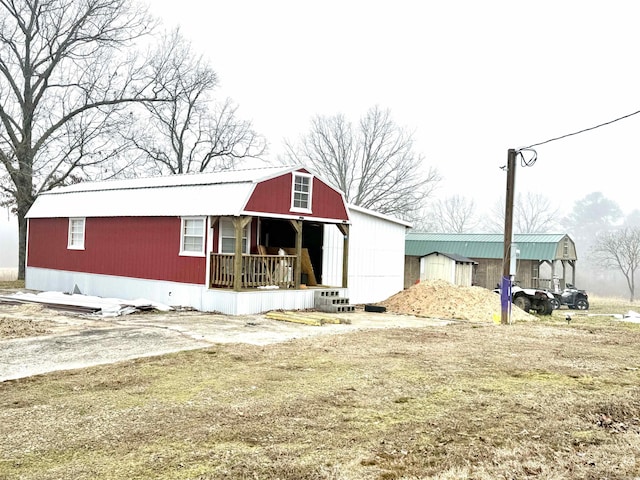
column 376, row 257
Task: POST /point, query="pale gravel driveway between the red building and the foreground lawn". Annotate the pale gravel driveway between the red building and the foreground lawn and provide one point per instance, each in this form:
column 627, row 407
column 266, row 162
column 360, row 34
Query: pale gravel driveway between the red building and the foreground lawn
column 77, row 342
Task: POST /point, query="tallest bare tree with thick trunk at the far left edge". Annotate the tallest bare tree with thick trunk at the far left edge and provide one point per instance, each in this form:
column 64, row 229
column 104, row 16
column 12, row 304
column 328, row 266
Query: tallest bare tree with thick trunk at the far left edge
column 67, row 71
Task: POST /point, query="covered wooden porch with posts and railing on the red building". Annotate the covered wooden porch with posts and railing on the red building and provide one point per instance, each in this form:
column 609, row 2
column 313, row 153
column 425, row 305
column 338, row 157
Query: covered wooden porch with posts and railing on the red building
column 266, row 269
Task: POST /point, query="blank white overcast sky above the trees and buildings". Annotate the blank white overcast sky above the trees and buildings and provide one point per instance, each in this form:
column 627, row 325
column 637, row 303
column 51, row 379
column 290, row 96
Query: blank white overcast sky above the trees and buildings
column 471, row 78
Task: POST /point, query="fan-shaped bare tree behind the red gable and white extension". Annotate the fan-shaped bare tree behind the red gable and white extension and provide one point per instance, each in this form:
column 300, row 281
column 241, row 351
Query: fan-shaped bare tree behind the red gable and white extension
column 374, row 163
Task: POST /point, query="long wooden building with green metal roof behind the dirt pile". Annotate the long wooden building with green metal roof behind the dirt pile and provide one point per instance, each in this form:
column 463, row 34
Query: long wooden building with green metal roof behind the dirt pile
column 541, row 256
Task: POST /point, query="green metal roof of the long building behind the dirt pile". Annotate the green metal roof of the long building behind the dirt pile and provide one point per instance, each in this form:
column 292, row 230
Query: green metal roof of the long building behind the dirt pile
column 532, row 246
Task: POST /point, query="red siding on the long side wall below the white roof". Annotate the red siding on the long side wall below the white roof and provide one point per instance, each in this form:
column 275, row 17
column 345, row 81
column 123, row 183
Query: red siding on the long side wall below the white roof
column 138, row 247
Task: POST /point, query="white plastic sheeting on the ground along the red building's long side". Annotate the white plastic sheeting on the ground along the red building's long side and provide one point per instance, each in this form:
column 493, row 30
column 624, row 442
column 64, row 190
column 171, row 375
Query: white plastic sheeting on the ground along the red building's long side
column 106, row 307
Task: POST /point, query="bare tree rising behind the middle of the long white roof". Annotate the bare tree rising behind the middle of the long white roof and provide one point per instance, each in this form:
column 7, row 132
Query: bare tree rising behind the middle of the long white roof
column 191, row 132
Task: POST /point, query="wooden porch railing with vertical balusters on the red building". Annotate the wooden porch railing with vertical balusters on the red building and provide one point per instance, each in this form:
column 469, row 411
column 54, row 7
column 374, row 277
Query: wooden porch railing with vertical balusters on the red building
column 257, row 271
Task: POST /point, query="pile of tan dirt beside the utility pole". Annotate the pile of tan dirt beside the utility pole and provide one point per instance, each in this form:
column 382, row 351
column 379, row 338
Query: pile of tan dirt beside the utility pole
column 441, row 299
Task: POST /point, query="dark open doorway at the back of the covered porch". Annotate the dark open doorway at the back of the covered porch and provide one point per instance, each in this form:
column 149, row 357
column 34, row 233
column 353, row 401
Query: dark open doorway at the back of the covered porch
column 274, row 234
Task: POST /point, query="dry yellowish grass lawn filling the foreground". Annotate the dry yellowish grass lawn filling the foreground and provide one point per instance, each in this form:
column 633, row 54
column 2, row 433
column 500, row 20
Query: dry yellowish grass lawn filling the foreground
column 538, row 399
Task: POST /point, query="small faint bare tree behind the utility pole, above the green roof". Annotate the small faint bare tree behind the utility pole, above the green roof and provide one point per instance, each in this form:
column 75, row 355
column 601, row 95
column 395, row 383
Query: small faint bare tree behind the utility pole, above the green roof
column 532, row 213
